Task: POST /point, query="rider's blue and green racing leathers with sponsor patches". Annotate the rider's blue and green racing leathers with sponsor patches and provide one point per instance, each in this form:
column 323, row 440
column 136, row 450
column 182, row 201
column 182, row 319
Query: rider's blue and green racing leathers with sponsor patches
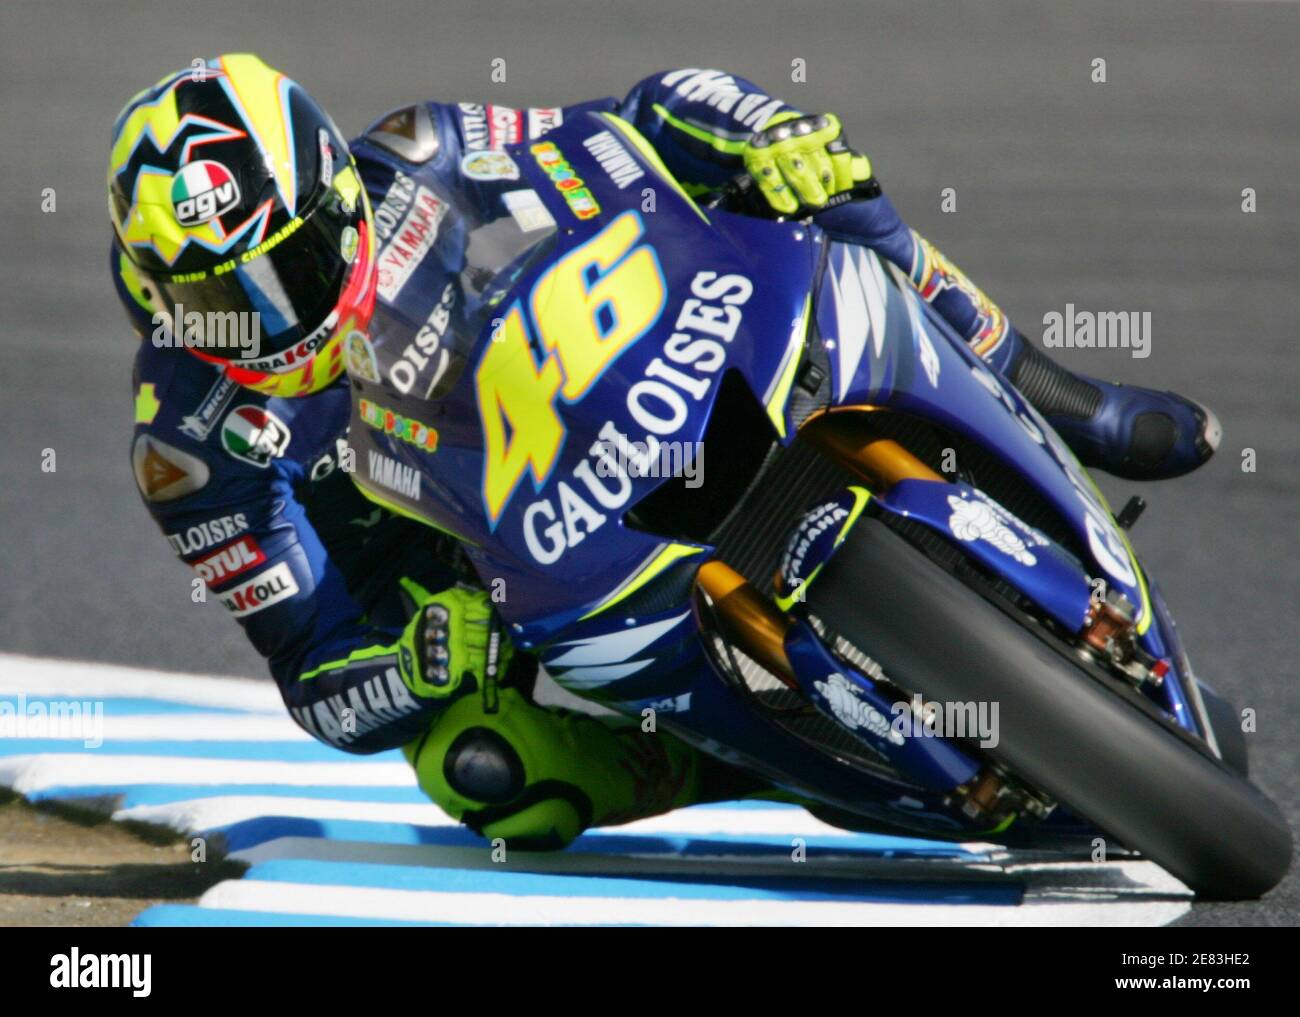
column 253, row 491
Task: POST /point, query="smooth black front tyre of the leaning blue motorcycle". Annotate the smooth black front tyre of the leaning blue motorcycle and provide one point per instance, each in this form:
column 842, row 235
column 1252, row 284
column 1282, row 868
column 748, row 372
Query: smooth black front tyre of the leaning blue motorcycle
column 1064, row 729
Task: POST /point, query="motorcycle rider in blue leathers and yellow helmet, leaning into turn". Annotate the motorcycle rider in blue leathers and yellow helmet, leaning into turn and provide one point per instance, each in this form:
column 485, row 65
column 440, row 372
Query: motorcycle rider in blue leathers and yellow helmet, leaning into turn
column 231, row 191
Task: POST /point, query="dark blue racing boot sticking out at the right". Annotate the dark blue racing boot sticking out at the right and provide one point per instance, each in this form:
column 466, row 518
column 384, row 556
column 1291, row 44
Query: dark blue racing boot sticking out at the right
column 1125, row 430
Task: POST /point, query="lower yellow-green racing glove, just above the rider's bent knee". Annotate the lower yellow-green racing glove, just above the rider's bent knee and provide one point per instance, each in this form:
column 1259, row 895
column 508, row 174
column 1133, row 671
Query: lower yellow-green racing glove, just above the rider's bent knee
column 452, row 643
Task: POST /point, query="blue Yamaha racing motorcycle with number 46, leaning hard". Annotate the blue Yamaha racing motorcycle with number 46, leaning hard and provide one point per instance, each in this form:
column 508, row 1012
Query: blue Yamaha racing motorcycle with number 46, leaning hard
column 735, row 475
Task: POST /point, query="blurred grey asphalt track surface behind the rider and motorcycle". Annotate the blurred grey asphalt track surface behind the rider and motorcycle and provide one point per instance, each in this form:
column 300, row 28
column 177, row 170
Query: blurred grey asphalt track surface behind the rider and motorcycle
column 1124, row 196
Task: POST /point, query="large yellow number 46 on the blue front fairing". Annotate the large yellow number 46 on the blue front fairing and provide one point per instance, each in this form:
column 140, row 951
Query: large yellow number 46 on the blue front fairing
column 587, row 309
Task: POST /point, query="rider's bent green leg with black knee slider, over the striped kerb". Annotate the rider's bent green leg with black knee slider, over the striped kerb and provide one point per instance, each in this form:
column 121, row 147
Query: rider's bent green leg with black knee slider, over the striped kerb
column 538, row 777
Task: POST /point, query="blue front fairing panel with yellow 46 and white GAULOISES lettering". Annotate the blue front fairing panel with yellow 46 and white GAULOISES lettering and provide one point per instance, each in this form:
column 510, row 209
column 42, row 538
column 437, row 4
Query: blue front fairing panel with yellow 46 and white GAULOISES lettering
column 726, row 285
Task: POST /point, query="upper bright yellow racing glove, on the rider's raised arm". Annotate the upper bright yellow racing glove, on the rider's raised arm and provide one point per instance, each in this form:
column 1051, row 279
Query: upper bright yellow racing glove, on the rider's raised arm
column 804, row 162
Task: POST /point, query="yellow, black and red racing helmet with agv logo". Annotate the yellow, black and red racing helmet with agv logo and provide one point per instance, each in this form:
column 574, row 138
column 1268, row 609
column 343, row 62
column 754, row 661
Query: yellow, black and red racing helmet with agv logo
column 244, row 224
